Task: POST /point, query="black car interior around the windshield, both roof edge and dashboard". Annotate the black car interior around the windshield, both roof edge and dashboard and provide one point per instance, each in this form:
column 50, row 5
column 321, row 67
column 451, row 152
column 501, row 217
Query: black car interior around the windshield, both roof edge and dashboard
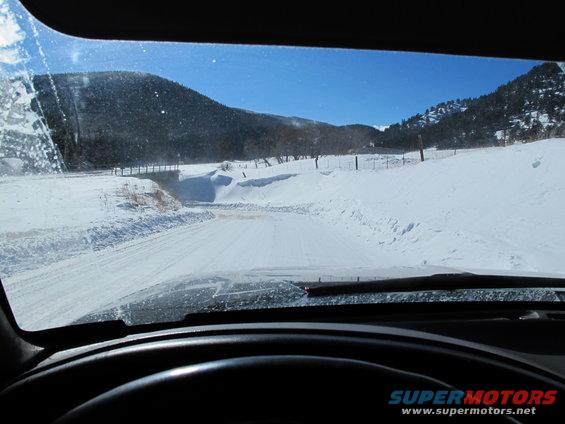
column 325, row 363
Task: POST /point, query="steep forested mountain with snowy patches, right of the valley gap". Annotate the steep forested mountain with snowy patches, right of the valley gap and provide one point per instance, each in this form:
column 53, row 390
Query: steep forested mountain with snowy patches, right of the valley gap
column 531, row 106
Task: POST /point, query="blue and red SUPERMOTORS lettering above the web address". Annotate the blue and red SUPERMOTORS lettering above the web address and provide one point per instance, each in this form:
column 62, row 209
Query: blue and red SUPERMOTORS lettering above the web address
column 473, row 397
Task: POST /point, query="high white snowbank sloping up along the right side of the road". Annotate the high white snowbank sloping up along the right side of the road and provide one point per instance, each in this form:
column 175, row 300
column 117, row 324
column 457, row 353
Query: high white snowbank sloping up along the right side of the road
column 495, row 208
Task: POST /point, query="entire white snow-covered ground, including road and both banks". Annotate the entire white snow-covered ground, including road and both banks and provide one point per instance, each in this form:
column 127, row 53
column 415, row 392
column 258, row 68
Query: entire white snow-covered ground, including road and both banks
column 75, row 243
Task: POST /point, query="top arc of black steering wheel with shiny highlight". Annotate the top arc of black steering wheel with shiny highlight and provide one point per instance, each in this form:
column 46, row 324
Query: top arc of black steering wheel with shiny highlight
column 272, row 389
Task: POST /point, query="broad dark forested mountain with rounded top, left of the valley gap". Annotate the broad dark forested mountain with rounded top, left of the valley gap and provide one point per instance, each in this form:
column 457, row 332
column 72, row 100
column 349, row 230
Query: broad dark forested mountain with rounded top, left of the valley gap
column 111, row 118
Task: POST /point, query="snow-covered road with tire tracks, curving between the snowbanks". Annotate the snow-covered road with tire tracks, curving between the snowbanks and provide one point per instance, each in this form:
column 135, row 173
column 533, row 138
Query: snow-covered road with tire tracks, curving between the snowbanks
column 235, row 240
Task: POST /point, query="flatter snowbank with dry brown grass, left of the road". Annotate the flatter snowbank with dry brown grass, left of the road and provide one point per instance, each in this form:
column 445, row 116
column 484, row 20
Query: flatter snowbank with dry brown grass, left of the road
column 48, row 218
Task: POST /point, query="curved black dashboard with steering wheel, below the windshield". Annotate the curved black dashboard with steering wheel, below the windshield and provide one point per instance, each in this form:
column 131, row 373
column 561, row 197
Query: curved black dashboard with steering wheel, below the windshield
column 246, row 369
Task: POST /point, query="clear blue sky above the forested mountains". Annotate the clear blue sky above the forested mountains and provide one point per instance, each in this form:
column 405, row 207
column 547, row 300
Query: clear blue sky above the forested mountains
column 332, row 85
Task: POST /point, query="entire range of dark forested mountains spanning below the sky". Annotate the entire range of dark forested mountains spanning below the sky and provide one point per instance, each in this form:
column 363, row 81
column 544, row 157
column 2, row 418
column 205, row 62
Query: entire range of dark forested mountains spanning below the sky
column 113, row 118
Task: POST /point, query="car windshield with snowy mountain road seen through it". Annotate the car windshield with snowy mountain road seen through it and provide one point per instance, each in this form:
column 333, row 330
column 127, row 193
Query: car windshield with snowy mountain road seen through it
column 195, row 177
